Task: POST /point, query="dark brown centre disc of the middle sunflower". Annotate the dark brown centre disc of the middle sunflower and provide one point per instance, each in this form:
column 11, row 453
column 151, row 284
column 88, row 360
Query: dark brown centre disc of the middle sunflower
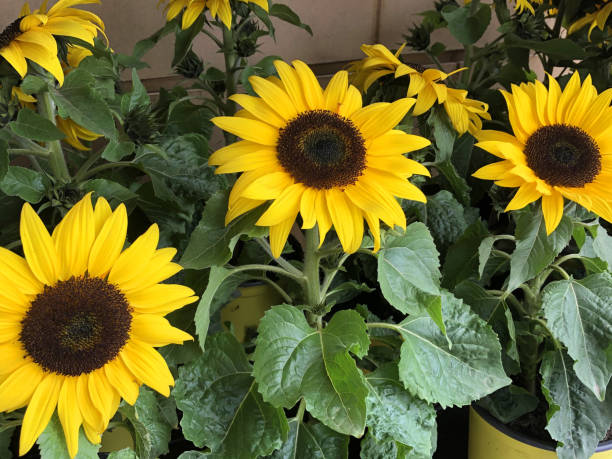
column 322, row 149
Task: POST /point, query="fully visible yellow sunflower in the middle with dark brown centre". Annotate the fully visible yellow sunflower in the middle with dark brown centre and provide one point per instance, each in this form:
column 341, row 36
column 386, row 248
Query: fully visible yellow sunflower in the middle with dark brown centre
column 318, row 153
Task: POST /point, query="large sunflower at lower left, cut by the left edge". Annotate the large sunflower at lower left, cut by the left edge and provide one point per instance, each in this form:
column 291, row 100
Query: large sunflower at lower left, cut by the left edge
column 79, row 320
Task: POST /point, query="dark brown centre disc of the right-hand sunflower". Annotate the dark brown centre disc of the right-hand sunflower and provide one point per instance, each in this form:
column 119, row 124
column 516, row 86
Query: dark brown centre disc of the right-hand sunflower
column 563, row 155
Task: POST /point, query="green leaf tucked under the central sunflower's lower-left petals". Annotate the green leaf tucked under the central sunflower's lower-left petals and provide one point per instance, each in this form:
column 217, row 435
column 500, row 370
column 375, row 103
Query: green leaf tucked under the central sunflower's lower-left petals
column 212, row 242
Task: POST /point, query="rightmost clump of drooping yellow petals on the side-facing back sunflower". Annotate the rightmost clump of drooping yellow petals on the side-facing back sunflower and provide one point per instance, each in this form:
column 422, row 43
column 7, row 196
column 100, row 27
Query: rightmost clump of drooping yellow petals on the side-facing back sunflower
column 465, row 113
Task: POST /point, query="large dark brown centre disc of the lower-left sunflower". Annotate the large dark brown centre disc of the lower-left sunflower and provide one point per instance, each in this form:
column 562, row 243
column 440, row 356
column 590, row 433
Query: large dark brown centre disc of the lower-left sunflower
column 76, row 326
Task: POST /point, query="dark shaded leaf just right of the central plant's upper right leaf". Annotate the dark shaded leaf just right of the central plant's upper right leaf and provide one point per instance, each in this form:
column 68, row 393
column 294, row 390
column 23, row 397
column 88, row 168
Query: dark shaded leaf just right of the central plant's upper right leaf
column 462, row 258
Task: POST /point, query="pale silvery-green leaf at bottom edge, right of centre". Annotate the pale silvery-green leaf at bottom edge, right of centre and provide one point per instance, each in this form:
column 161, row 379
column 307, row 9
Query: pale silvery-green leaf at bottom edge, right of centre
column 393, row 413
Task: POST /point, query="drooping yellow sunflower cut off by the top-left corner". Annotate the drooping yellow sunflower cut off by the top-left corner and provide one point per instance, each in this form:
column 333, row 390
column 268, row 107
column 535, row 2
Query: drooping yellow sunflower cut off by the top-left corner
column 31, row 36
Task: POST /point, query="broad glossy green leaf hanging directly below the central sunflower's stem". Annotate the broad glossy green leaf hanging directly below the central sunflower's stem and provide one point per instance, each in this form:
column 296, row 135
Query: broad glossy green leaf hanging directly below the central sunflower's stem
column 293, row 360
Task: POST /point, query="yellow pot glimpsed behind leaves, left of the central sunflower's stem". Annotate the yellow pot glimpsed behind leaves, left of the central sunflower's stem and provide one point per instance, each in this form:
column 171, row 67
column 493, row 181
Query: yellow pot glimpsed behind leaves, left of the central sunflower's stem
column 245, row 311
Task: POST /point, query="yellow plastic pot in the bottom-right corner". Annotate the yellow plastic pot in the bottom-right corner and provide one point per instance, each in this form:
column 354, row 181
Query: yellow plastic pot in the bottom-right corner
column 490, row 438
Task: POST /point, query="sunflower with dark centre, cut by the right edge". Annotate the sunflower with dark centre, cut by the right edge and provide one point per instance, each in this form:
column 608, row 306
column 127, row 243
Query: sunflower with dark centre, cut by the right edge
column 561, row 147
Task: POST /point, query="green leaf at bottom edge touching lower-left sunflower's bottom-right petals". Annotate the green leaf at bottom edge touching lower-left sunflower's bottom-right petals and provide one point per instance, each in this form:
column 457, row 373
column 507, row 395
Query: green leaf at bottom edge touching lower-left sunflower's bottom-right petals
column 152, row 420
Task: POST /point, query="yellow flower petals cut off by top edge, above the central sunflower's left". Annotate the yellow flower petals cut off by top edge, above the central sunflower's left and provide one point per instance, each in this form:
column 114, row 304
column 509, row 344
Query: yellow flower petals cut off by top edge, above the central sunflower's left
column 193, row 8
